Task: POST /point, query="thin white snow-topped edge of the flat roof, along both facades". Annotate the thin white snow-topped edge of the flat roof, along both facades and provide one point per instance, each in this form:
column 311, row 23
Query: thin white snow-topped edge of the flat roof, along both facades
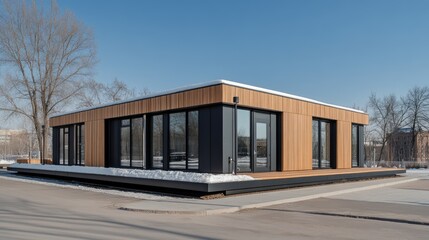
column 207, row 84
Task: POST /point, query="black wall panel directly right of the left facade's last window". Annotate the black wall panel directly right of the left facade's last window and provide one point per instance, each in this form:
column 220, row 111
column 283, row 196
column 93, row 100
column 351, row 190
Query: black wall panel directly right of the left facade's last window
column 204, row 125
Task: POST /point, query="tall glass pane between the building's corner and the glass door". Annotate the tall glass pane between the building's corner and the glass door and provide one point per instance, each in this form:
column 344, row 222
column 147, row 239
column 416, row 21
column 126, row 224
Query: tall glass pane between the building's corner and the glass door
column 243, row 140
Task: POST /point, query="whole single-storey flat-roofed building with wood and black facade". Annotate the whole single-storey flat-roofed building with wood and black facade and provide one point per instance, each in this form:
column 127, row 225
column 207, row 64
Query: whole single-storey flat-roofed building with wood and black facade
column 208, row 128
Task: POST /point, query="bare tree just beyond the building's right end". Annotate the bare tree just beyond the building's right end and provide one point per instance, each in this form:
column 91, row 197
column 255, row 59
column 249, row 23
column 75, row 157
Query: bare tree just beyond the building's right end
column 387, row 116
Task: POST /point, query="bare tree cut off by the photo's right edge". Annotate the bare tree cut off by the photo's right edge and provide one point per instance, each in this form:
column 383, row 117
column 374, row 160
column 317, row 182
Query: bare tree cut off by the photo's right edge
column 417, row 102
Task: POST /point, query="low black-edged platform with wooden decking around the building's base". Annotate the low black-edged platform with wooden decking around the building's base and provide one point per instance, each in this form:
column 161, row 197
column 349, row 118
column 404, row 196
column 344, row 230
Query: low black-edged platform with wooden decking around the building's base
column 263, row 181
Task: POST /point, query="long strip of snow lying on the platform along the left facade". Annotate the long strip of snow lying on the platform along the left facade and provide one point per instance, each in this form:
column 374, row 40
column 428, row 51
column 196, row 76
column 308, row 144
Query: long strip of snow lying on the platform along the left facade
column 138, row 173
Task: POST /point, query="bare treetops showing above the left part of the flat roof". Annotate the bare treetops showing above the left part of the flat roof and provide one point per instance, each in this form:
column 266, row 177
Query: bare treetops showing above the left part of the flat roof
column 96, row 93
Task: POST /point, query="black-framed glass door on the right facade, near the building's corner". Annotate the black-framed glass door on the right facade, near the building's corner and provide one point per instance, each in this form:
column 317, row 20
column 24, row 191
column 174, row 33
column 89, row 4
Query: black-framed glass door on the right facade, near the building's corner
column 261, row 142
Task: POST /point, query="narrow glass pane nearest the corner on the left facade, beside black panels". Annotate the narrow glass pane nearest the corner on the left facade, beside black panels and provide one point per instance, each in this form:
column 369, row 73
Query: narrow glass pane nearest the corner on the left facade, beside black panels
column 193, row 142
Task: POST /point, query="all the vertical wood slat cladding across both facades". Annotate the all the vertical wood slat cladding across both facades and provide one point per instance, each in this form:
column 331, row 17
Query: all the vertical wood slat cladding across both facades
column 297, row 115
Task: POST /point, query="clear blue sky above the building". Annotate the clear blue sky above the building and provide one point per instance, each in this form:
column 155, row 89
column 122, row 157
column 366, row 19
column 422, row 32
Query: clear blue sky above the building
column 333, row 51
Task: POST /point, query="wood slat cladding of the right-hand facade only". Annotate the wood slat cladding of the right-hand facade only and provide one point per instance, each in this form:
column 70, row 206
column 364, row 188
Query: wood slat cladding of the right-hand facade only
column 297, row 125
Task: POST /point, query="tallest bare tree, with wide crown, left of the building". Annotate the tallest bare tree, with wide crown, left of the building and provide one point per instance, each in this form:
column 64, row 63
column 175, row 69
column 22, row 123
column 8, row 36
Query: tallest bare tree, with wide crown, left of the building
column 47, row 54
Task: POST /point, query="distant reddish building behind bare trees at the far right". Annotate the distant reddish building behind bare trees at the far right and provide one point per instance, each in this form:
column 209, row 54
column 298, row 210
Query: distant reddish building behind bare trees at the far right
column 400, row 146
